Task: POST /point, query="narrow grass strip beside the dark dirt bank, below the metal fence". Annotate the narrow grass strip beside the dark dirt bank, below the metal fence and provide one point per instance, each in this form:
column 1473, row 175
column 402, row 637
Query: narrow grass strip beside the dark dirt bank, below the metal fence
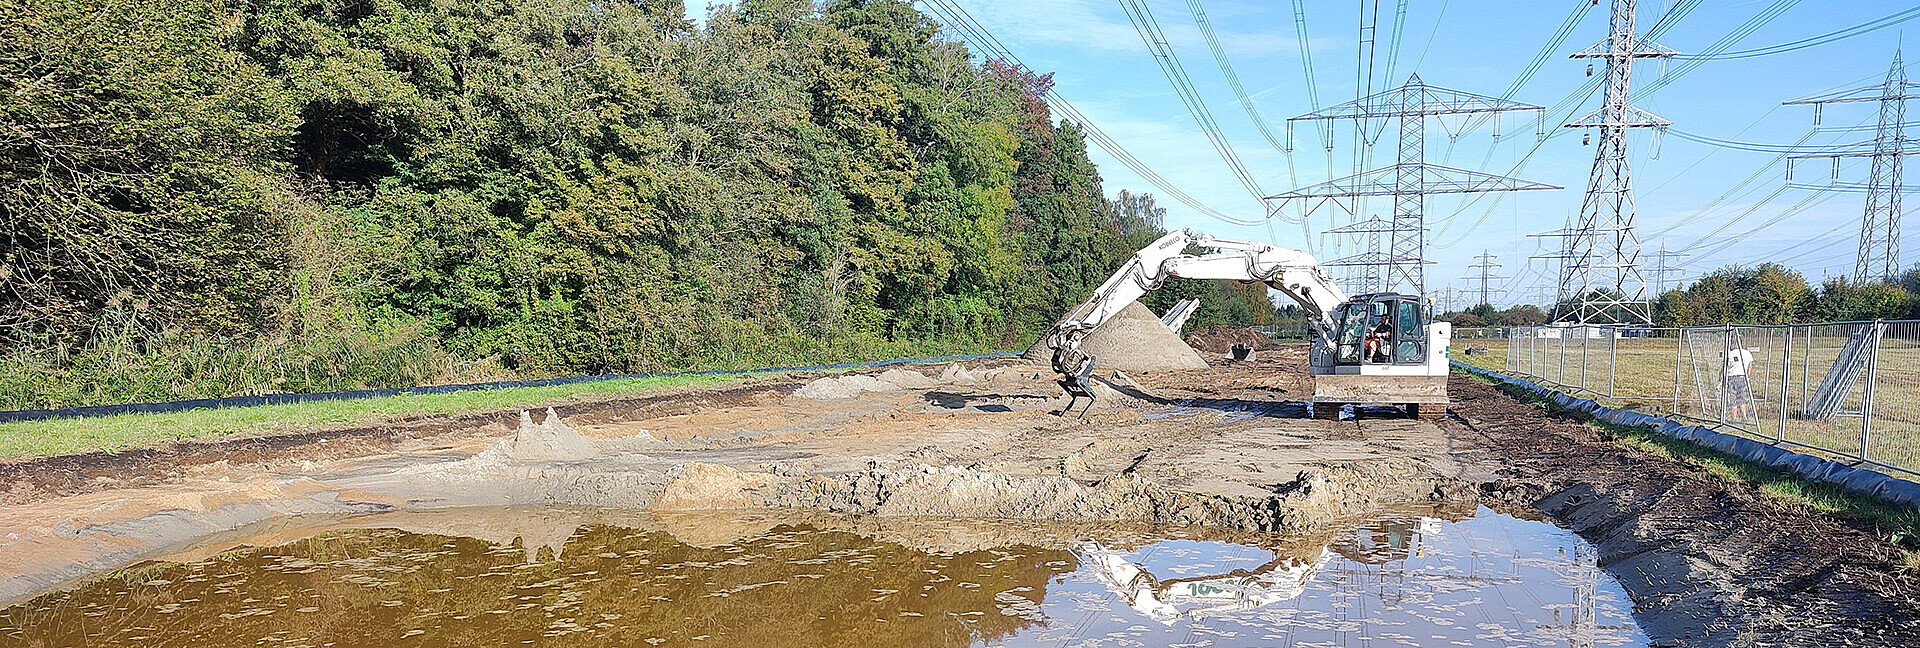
column 1888, row 522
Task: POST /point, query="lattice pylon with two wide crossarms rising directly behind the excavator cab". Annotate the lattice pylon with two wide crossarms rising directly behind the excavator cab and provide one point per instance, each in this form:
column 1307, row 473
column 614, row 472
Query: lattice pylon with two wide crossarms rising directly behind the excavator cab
column 1403, row 266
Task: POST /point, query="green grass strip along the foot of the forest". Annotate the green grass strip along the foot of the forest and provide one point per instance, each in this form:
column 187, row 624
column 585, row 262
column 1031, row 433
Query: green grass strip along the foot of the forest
column 70, row 436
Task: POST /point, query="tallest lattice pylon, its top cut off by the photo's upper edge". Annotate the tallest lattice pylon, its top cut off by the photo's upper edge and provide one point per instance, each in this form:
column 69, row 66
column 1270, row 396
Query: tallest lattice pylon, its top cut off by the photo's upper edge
column 1600, row 275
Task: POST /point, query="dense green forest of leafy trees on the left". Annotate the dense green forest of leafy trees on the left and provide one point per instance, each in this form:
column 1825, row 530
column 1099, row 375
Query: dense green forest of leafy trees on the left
column 233, row 197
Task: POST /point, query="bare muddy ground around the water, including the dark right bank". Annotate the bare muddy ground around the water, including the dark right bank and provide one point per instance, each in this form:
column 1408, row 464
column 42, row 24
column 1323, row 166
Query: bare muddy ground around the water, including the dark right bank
column 1230, row 448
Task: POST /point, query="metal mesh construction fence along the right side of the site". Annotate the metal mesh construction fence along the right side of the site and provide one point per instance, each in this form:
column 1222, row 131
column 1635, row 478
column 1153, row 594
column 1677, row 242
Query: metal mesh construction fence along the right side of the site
column 1848, row 390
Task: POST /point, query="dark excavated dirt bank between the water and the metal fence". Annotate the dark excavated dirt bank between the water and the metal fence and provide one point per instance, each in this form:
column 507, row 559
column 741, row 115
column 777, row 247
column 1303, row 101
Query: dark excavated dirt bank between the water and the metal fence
column 1706, row 563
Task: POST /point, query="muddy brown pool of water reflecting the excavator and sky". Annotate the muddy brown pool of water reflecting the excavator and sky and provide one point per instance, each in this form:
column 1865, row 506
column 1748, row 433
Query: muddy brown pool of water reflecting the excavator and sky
column 562, row 578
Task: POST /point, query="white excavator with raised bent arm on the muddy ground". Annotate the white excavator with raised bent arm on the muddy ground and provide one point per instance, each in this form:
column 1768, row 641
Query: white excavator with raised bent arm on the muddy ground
column 1372, row 350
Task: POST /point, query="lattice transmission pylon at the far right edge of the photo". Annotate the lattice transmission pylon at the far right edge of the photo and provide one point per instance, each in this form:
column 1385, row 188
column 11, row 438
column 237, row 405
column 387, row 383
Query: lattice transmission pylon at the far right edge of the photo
column 1881, row 225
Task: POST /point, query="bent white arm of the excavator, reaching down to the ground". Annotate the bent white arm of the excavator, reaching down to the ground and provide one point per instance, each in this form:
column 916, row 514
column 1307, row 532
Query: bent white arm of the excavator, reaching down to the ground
column 1293, row 273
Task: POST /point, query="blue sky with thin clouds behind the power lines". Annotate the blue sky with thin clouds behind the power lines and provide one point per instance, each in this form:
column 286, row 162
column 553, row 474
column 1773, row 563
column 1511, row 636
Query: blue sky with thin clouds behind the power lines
column 1101, row 66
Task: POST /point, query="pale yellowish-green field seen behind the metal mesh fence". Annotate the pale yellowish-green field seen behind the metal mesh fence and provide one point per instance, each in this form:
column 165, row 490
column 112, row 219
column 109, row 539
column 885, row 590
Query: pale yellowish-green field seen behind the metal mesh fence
column 1646, row 382
